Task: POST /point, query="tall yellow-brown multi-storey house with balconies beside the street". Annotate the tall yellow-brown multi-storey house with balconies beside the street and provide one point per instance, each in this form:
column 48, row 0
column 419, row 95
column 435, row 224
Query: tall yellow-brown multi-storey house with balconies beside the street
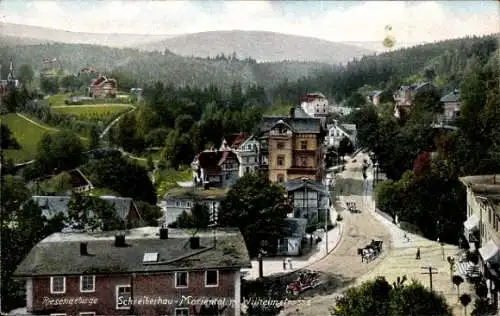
column 292, row 147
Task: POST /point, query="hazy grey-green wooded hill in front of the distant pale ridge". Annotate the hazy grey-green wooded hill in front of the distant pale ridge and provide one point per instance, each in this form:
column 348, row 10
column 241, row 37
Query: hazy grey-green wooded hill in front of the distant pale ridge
column 146, row 67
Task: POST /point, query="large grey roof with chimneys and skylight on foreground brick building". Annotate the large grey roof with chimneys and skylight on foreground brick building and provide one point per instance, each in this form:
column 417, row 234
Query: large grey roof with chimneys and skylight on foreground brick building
column 59, row 254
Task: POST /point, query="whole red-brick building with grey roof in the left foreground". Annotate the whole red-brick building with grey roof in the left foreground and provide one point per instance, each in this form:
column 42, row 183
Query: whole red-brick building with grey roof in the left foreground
column 149, row 271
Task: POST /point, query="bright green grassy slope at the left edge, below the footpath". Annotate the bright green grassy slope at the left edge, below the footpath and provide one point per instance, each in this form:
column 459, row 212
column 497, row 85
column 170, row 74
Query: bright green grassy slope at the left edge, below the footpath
column 27, row 135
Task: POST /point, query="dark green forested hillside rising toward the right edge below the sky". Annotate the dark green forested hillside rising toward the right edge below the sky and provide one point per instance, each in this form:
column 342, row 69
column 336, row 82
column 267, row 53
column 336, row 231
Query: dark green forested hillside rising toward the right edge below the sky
column 446, row 60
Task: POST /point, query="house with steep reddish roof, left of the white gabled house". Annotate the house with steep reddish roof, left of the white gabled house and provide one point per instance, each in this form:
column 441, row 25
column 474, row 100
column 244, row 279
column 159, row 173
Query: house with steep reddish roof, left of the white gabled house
column 216, row 168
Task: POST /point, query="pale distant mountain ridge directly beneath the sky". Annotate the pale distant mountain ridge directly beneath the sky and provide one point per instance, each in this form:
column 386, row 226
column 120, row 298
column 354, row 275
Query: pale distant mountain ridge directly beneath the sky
column 259, row 45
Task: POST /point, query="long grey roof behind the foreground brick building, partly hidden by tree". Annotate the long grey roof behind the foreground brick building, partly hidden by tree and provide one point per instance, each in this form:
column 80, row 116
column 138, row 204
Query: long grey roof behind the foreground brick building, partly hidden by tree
column 52, row 205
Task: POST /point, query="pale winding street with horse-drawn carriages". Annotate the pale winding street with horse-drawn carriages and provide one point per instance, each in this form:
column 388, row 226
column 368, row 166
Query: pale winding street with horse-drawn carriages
column 360, row 229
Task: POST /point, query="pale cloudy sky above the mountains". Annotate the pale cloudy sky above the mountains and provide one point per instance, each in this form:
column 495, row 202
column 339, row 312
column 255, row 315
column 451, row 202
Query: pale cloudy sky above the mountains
column 410, row 21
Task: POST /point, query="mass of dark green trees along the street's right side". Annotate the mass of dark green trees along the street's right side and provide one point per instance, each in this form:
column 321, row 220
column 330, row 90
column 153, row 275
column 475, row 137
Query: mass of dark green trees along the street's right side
column 424, row 163
